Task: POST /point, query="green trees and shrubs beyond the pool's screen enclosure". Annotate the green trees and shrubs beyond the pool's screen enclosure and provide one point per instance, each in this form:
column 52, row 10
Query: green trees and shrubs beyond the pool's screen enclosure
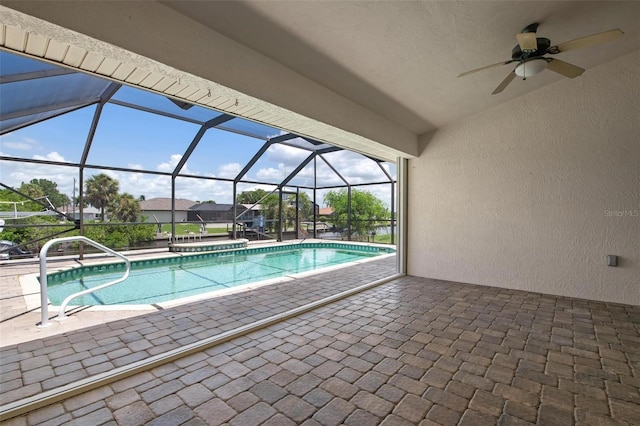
column 363, row 213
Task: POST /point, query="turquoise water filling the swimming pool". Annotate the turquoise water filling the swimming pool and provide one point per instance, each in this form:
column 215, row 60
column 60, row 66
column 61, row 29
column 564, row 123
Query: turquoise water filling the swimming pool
column 161, row 280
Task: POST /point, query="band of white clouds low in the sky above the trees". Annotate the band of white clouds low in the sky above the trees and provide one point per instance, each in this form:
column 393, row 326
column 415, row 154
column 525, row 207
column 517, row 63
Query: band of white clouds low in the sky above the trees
column 355, row 168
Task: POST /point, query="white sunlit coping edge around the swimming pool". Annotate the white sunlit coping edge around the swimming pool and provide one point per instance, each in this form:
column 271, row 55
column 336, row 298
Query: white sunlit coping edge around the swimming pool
column 30, row 284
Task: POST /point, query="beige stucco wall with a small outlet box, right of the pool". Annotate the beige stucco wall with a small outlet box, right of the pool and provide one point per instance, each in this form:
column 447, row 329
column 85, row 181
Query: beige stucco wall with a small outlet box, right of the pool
column 533, row 194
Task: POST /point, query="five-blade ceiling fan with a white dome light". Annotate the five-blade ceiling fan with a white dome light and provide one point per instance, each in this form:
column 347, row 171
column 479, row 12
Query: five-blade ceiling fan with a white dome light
column 530, row 50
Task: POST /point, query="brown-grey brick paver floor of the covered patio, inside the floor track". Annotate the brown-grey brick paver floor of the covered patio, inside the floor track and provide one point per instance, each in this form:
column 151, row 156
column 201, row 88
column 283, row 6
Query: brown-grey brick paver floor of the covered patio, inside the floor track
column 412, row 351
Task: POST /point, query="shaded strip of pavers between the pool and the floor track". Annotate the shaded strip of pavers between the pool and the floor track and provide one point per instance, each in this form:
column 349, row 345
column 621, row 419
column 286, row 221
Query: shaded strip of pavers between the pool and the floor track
column 39, row 365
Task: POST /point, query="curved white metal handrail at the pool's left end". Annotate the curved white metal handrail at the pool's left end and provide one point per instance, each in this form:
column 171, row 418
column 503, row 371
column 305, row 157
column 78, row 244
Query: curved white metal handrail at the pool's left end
column 44, row 300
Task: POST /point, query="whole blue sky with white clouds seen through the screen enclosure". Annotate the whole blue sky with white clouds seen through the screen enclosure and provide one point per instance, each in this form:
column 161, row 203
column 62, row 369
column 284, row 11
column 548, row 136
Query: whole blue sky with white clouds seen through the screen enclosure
column 130, row 138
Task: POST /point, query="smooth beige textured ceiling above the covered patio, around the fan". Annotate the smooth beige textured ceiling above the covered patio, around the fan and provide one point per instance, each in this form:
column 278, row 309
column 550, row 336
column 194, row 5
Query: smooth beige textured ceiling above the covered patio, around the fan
column 400, row 59
